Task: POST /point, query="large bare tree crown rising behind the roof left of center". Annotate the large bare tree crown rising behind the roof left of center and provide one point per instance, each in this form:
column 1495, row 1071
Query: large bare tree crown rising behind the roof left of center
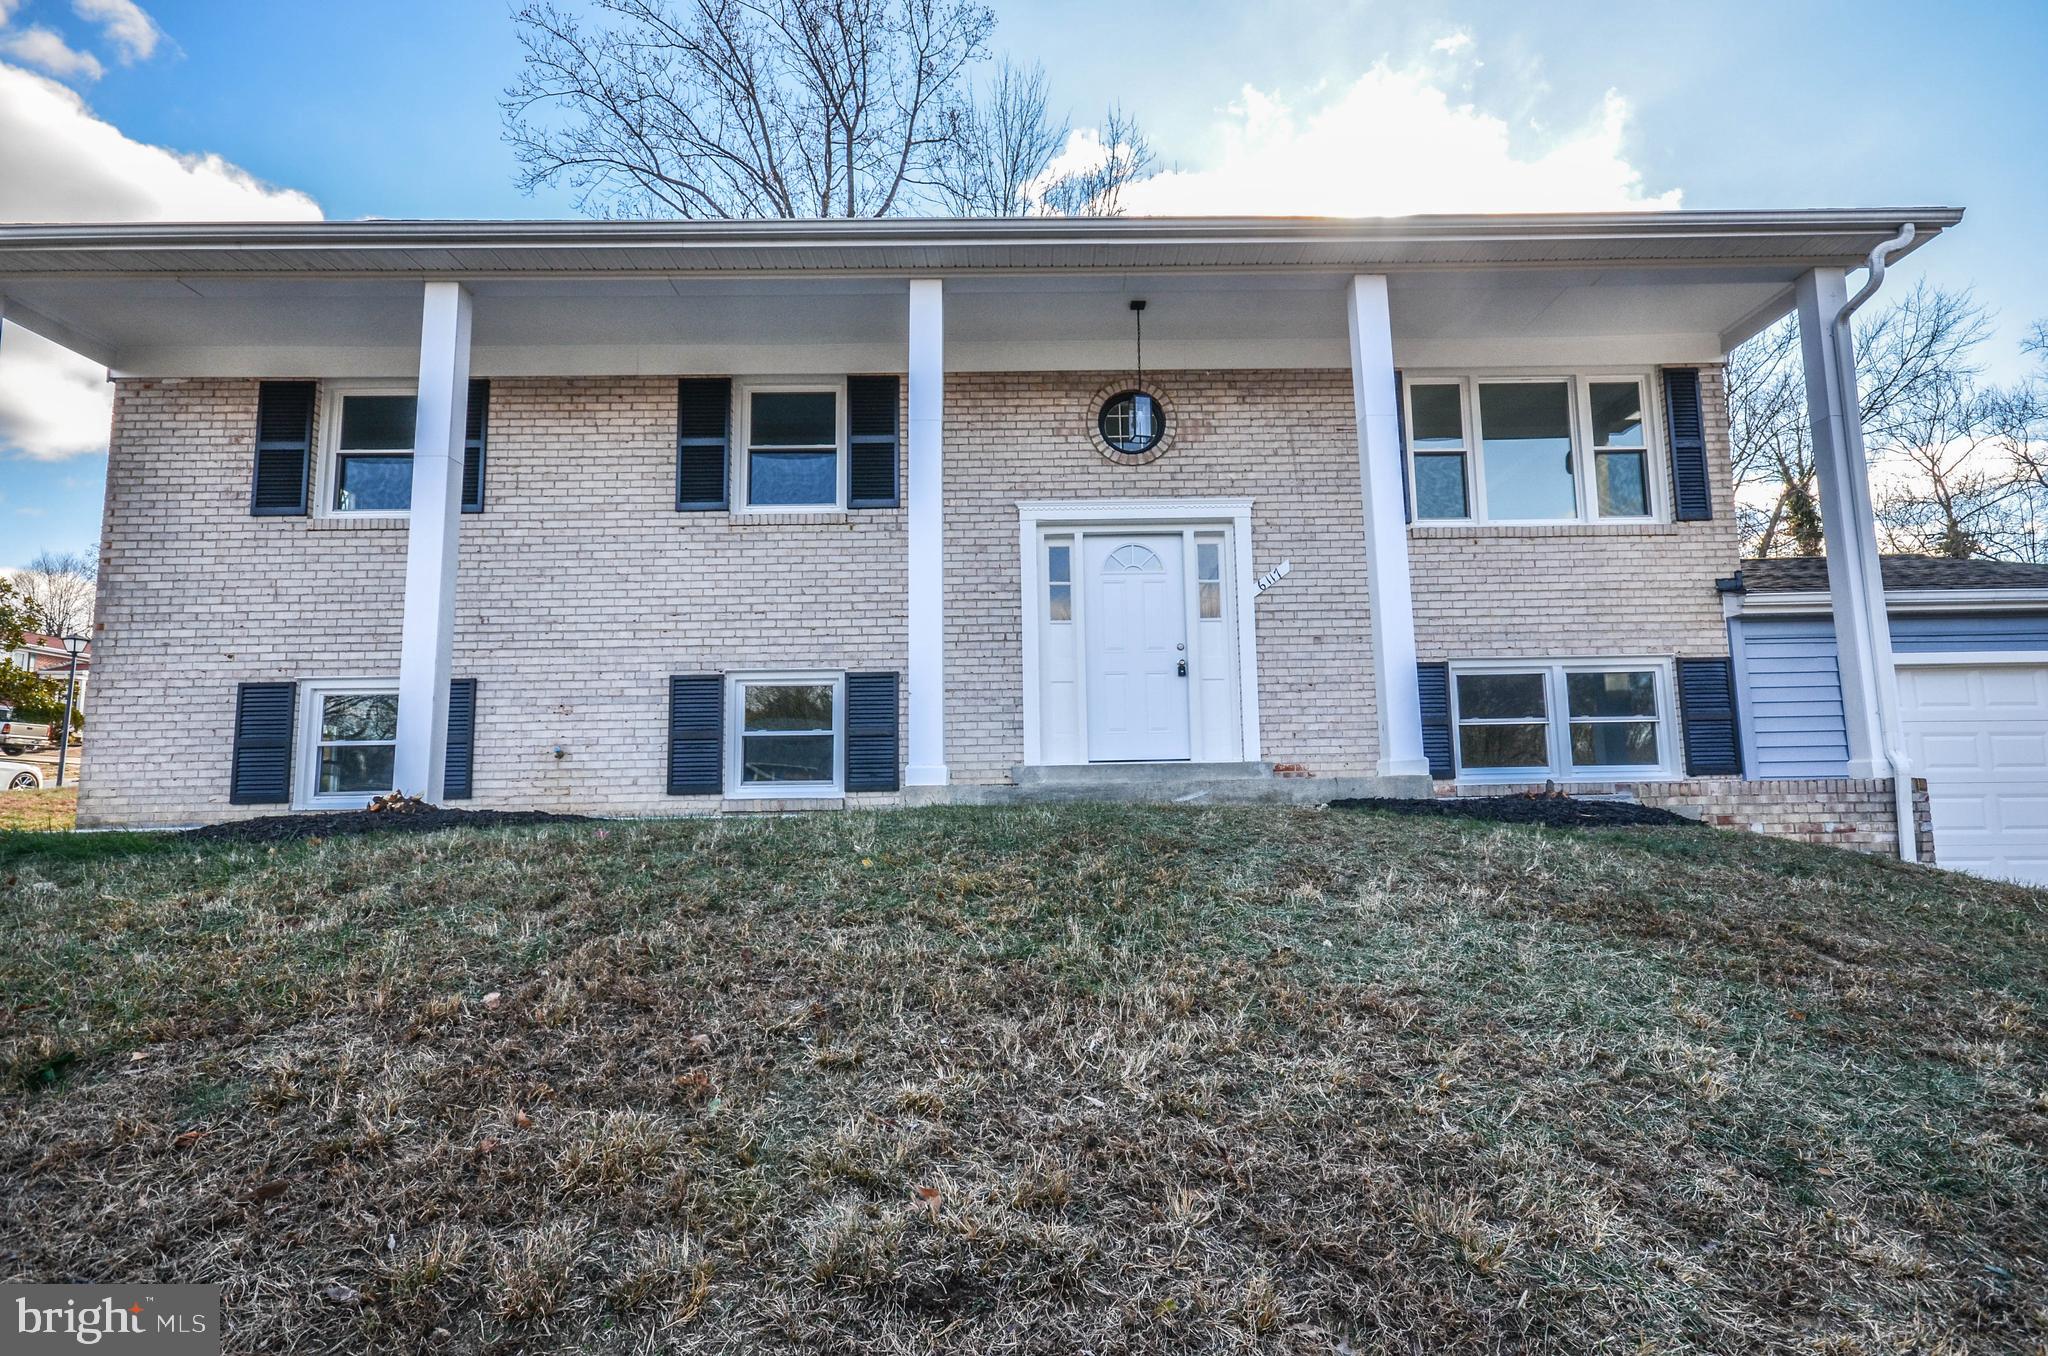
column 740, row 108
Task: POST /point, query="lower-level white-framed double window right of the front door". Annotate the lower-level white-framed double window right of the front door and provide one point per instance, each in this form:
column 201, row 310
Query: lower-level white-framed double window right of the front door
column 1570, row 720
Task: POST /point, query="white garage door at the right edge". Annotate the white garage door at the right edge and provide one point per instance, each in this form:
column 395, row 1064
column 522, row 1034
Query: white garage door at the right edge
column 1979, row 734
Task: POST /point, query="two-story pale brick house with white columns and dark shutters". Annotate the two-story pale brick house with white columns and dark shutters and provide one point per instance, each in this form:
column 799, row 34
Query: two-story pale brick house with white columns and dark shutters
column 906, row 511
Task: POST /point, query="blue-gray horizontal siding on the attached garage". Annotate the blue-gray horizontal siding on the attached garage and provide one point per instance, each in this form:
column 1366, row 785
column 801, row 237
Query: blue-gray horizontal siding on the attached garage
column 1791, row 687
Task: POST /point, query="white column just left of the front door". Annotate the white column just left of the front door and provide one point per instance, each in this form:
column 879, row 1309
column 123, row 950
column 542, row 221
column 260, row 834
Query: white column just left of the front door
column 927, row 534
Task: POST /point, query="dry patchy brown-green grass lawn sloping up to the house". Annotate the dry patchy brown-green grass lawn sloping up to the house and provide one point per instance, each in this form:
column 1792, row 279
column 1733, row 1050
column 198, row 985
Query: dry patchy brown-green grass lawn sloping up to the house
column 1033, row 1080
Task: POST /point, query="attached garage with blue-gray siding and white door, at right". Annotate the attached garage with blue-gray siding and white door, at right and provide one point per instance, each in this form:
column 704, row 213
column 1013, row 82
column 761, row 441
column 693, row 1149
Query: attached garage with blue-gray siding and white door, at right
column 1971, row 648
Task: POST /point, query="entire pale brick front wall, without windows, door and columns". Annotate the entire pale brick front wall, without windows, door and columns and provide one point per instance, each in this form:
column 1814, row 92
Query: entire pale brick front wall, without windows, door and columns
column 583, row 589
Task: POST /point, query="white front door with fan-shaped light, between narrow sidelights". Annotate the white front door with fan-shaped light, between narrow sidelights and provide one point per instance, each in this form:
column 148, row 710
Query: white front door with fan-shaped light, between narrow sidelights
column 1138, row 648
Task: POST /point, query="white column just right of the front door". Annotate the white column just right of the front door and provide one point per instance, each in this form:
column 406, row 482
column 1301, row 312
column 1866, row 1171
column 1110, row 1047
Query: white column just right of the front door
column 1388, row 568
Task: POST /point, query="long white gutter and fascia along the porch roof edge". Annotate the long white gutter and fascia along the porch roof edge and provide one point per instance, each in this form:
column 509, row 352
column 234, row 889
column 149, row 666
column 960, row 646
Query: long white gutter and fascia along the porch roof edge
column 929, row 247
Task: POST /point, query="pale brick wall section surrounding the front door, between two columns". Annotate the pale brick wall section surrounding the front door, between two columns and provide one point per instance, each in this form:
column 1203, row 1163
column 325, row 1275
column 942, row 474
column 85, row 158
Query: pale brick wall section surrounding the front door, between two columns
column 1283, row 439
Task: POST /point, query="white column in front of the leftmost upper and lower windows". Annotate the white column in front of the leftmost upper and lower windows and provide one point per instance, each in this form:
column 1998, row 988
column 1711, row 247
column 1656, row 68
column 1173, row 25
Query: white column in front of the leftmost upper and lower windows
column 437, row 513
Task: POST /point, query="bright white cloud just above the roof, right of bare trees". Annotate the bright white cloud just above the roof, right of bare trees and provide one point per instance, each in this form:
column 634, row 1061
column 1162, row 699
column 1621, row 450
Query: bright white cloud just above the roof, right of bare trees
column 1390, row 144
